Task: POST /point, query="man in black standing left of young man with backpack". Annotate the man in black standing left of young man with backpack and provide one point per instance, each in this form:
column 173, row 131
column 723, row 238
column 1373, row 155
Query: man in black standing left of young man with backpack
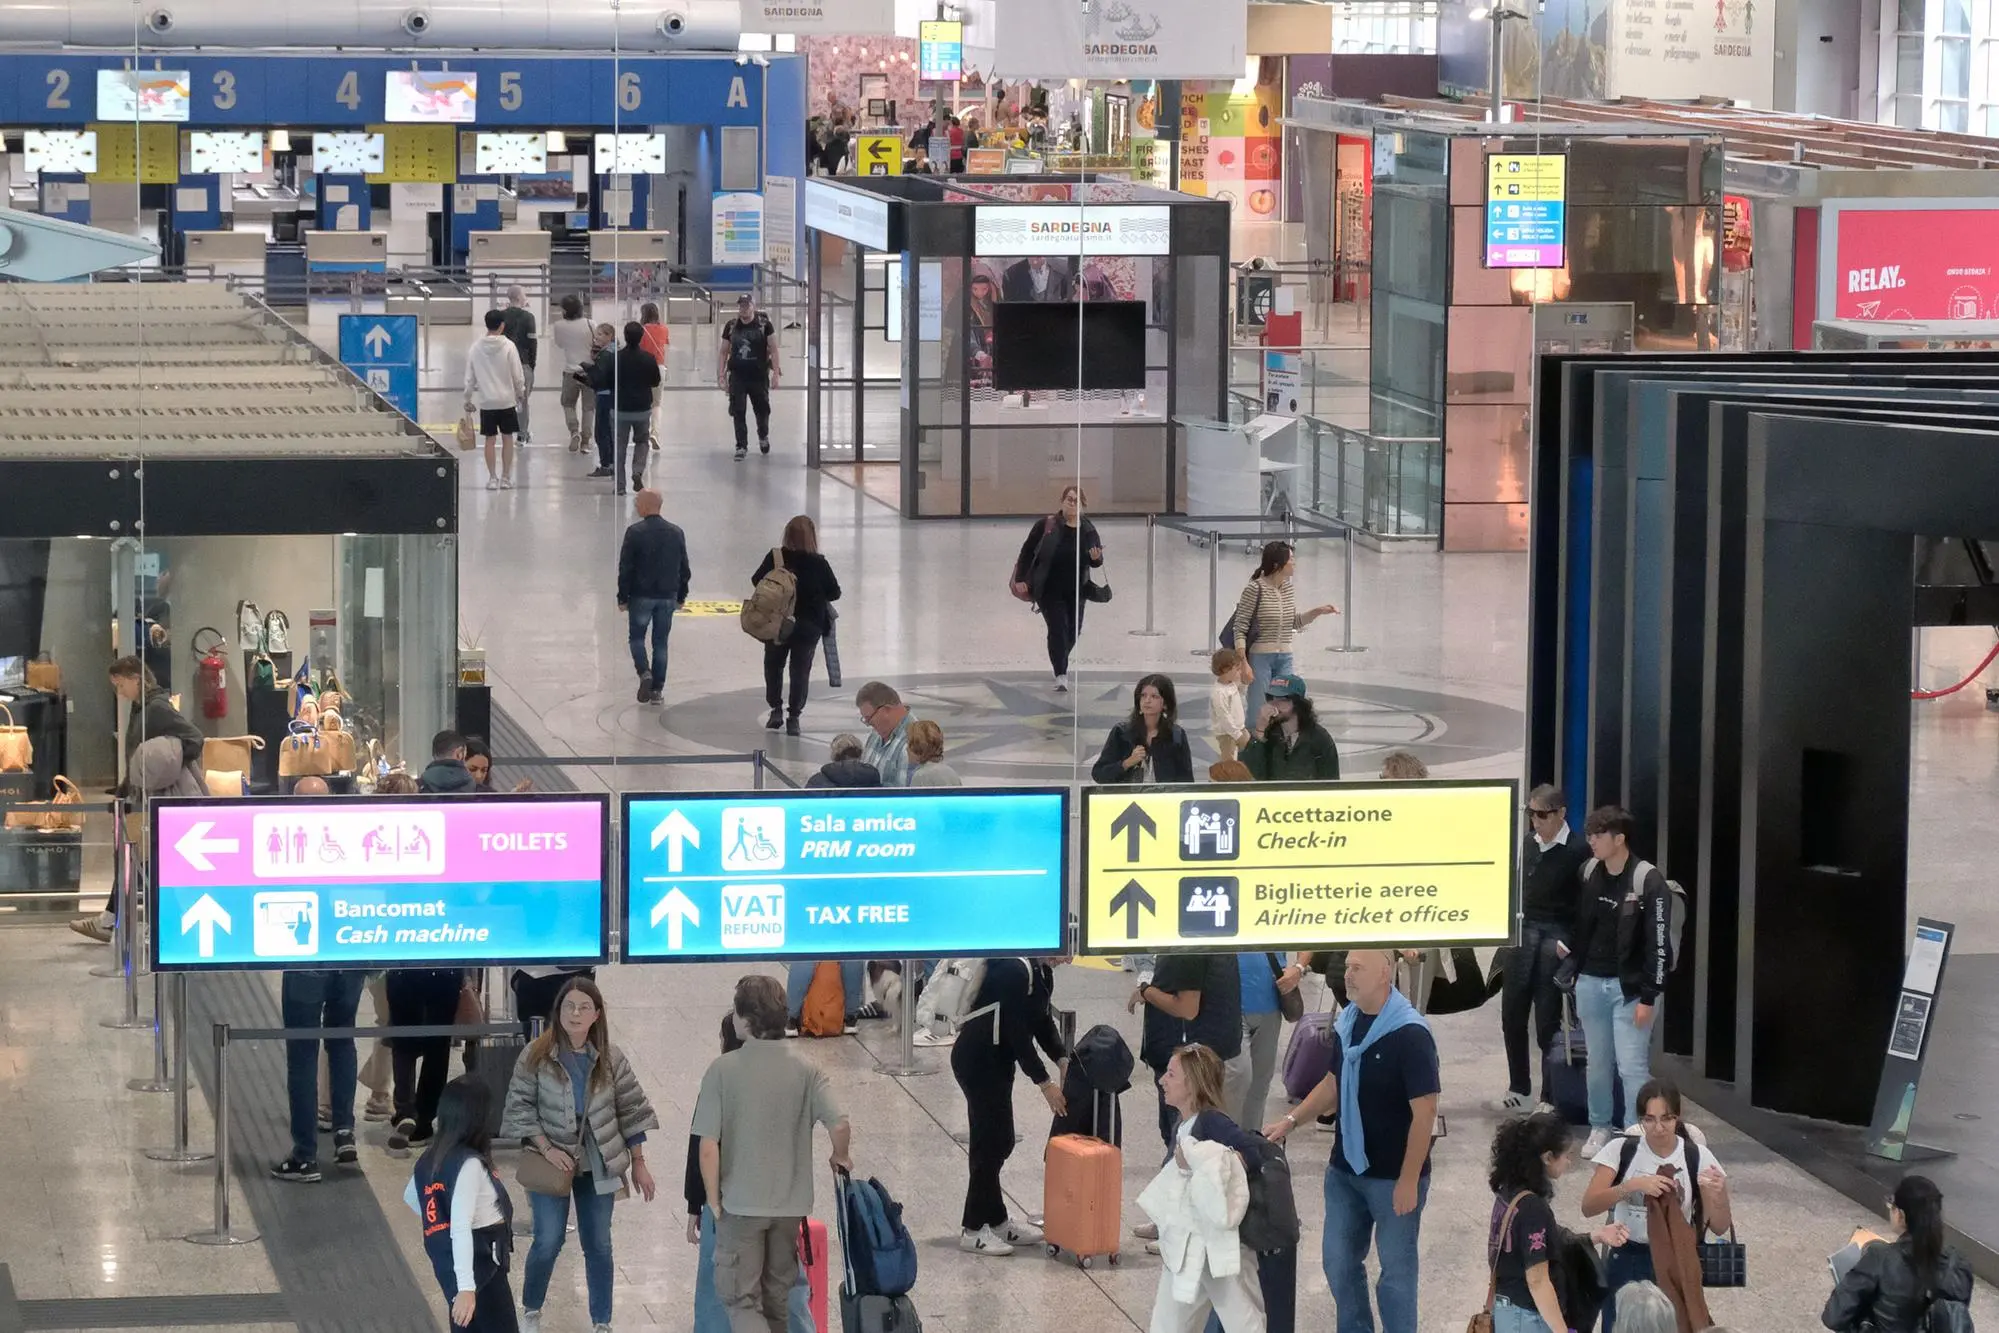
column 1552, row 864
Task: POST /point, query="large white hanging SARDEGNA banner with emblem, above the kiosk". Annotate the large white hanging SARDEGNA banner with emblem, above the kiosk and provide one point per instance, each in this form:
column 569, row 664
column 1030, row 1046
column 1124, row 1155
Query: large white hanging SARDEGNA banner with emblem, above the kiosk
column 1120, row 39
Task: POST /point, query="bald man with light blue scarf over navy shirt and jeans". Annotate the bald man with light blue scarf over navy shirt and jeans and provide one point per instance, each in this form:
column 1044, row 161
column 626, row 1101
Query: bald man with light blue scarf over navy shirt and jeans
column 1384, row 1080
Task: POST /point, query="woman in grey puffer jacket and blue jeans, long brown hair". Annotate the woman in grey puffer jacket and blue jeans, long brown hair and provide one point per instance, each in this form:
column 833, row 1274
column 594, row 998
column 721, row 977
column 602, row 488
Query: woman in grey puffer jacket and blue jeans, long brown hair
column 577, row 1102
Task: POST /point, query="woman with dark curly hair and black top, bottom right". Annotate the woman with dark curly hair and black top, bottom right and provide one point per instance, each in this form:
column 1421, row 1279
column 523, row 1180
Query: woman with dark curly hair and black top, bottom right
column 1522, row 1238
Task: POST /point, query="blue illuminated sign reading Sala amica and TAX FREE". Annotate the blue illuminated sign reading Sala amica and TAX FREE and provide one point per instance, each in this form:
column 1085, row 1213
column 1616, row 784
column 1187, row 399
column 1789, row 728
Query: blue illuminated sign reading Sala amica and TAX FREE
column 957, row 872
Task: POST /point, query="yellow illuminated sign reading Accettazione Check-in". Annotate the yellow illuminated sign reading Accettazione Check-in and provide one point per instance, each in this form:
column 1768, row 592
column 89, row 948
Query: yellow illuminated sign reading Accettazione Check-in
column 1294, row 866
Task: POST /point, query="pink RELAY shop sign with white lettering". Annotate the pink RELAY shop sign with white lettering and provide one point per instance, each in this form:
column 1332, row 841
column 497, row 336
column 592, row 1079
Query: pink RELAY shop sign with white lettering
column 1912, row 263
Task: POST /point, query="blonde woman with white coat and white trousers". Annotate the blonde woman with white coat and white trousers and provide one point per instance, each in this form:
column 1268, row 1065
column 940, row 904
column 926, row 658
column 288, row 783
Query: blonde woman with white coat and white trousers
column 1198, row 1204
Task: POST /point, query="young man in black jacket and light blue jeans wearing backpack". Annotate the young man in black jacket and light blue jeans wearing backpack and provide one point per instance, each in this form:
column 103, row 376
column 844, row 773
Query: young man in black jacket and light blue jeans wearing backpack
column 1622, row 954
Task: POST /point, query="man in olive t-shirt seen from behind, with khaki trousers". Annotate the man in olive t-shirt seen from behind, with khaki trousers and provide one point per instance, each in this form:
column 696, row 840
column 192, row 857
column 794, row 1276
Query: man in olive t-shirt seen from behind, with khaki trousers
column 755, row 1120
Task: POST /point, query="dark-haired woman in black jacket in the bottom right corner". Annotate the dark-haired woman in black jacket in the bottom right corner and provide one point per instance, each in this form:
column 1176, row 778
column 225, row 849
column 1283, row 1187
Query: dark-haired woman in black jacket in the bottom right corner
column 1896, row 1284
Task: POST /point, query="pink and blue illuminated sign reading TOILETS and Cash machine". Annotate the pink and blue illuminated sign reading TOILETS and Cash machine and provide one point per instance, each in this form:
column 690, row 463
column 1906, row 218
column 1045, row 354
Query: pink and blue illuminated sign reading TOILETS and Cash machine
column 381, row 882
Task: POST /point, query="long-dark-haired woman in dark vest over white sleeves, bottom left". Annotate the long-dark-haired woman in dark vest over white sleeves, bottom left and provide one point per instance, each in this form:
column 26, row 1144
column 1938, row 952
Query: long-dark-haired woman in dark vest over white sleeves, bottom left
column 467, row 1214
